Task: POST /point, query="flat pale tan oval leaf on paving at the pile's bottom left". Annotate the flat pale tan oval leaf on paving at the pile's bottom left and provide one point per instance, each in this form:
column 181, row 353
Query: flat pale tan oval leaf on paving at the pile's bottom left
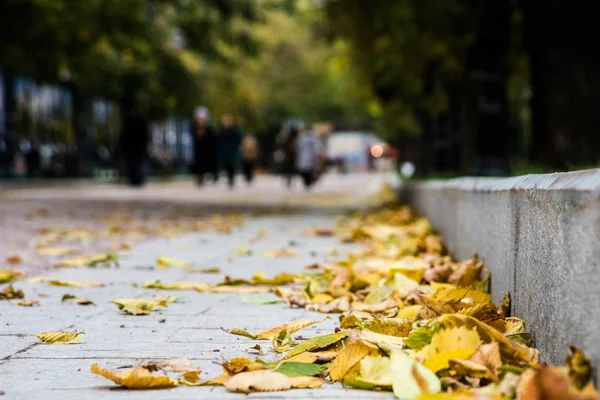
column 258, row 381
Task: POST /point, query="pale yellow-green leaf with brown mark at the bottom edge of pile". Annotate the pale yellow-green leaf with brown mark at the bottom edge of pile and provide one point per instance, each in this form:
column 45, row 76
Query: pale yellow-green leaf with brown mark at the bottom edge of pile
column 411, row 379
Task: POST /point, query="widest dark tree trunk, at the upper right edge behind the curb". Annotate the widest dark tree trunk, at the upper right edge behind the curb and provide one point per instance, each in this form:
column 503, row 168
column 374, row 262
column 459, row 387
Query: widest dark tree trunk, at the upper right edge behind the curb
column 565, row 78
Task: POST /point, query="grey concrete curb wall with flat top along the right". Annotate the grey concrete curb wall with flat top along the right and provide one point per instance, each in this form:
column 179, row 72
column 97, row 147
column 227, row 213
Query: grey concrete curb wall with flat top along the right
column 540, row 236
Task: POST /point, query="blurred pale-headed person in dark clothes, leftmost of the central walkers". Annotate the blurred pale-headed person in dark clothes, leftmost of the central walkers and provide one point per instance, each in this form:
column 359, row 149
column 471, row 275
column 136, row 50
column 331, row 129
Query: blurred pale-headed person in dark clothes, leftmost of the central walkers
column 206, row 146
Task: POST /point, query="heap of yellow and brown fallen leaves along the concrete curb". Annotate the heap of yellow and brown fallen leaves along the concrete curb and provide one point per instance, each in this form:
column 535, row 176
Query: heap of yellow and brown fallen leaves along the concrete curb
column 412, row 321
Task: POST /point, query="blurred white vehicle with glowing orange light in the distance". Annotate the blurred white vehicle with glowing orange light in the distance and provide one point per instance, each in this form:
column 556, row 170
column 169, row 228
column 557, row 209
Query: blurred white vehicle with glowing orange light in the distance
column 357, row 151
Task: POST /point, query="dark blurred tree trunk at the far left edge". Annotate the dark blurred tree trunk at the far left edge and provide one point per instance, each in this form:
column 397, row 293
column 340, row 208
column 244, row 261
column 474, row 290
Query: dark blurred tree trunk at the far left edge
column 10, row 134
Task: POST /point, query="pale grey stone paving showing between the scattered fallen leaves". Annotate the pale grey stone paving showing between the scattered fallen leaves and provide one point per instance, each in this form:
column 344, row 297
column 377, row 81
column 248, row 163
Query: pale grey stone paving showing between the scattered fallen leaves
column 189, row 328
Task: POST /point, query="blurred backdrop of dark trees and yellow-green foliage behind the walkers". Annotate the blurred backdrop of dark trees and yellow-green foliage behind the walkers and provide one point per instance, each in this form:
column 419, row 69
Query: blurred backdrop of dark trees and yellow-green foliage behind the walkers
column 494, row 87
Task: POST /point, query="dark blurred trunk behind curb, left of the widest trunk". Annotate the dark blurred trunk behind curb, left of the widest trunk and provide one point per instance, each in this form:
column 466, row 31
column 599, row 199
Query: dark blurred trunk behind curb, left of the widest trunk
column 488, row 65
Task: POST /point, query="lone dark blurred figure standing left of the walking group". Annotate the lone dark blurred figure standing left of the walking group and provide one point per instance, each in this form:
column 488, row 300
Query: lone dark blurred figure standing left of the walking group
column 134, row 142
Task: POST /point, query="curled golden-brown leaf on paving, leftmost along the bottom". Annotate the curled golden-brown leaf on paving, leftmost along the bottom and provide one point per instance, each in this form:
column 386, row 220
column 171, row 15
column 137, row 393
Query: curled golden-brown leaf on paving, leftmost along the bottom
column 136, row 378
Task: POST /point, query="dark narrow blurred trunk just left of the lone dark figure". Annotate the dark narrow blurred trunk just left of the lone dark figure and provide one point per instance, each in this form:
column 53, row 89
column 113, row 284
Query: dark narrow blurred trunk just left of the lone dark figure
column 82, row 120
